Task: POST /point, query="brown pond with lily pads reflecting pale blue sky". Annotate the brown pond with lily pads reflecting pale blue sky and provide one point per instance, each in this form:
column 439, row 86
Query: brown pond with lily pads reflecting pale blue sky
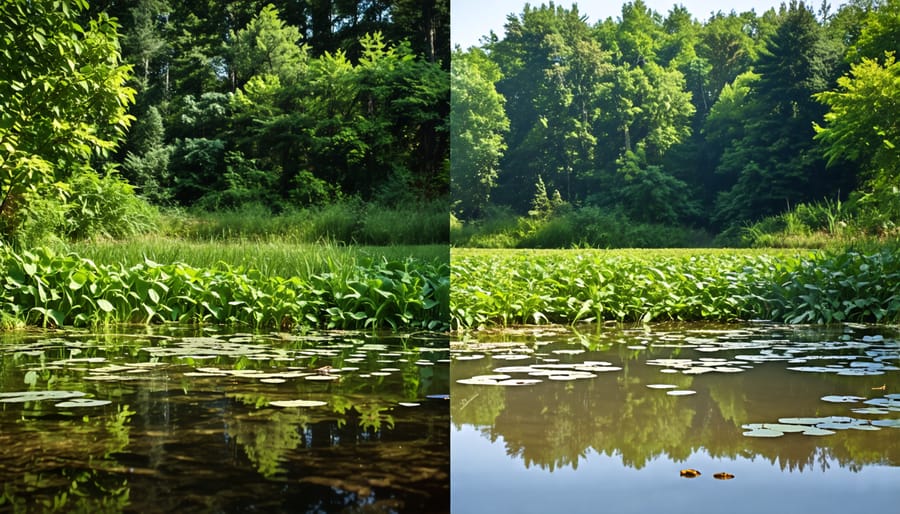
column 677, row 418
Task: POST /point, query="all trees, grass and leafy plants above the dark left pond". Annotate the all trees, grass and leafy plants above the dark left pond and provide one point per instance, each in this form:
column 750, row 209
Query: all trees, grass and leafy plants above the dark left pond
column 263, row 164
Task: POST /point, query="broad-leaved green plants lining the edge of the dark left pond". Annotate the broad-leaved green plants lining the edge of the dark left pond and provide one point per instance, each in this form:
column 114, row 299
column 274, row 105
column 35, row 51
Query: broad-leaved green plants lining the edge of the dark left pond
column 45, row 288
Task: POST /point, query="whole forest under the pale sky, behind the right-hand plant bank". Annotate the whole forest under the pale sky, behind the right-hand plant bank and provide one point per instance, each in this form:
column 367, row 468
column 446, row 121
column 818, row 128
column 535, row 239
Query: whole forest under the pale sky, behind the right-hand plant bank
column 657, row 129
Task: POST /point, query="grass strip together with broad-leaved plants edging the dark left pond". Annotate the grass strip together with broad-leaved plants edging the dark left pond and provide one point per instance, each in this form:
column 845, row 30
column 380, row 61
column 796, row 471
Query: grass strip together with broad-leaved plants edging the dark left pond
column 320, row 287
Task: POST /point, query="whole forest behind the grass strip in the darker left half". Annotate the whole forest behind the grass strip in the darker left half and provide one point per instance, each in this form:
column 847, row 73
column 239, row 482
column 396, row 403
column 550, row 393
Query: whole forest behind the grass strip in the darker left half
column 115, row 111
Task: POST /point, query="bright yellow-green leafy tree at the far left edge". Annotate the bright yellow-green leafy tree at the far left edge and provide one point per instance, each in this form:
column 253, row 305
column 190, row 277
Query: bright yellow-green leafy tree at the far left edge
column 62, row 100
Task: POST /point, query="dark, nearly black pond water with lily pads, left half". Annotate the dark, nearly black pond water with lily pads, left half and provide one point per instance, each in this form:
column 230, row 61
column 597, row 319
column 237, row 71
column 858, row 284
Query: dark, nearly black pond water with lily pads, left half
column 184, row 420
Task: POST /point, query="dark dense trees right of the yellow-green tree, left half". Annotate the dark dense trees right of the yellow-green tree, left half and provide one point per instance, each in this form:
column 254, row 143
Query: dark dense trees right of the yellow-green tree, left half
column 287, row 103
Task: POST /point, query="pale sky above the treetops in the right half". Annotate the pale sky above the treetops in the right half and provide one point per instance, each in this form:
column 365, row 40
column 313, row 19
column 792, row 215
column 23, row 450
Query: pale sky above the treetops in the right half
column 472, row 19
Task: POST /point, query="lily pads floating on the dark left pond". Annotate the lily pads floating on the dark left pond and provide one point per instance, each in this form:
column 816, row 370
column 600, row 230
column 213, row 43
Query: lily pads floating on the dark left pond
column 263, row 359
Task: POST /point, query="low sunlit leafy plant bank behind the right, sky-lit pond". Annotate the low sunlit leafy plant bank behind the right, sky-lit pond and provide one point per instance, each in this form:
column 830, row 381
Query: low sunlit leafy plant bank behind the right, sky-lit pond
column 567, row 286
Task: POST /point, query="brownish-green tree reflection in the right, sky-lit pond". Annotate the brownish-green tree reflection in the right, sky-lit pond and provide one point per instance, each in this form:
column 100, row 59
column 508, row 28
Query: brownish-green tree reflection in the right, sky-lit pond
column 555, row 425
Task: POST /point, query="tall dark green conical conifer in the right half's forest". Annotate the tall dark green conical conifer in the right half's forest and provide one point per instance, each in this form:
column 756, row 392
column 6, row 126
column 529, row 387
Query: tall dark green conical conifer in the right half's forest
column 774, row 164
